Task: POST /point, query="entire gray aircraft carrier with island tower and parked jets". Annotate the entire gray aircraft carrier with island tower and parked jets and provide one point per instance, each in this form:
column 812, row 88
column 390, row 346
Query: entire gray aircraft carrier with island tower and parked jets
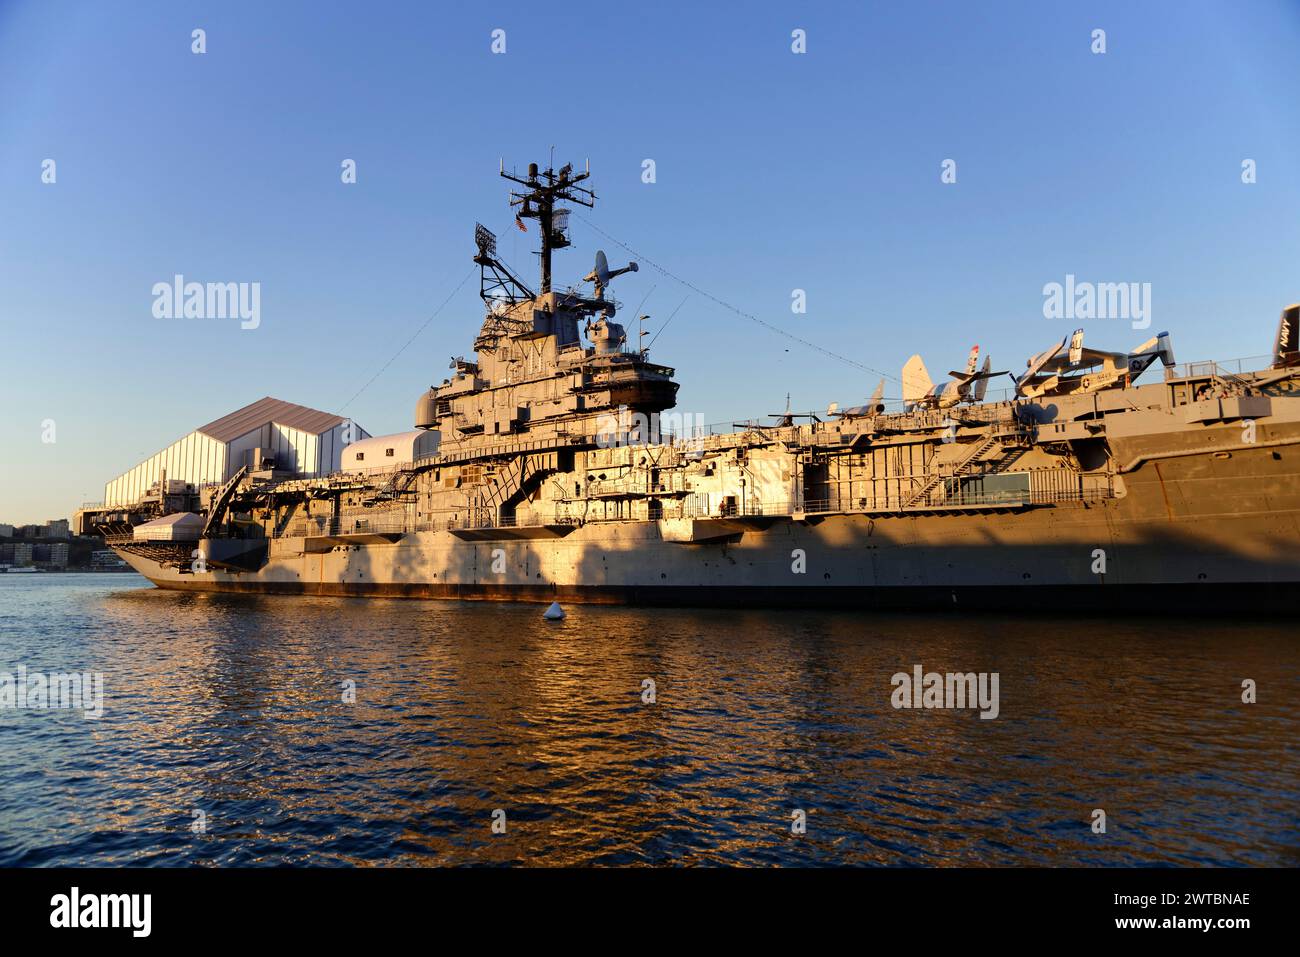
column 552, row 467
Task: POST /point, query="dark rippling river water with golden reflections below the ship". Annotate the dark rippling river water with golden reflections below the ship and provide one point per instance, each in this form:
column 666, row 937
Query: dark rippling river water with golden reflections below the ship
column 229, row 735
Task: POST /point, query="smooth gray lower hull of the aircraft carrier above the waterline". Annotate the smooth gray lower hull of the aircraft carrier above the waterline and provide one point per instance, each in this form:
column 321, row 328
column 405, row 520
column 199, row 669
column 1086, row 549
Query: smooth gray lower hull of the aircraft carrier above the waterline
column 1191, row 534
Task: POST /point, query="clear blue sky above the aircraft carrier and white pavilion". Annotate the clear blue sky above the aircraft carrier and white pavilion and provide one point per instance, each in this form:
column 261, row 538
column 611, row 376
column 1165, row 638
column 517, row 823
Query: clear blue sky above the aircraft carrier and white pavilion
column 775, row 172
